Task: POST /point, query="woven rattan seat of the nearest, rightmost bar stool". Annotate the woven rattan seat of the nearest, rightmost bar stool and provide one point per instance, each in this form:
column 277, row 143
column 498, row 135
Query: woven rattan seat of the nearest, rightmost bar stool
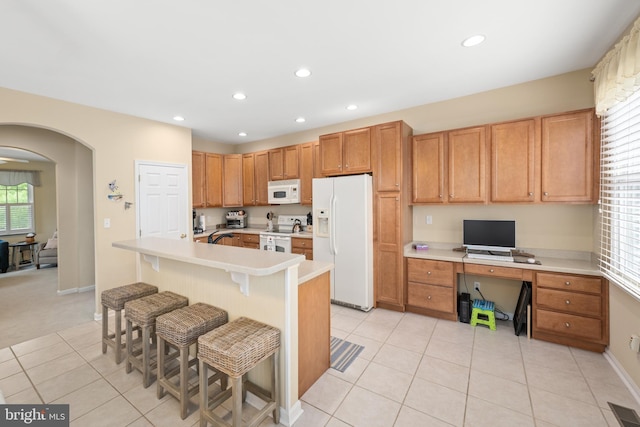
column 238, row 346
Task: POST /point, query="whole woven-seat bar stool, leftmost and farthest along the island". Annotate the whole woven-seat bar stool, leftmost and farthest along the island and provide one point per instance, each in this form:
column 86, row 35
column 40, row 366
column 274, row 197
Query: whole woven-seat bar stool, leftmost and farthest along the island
column 115, row 299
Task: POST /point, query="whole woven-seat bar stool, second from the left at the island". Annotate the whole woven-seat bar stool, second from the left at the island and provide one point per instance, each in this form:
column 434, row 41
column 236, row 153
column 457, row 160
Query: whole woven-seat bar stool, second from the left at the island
column 143, row 313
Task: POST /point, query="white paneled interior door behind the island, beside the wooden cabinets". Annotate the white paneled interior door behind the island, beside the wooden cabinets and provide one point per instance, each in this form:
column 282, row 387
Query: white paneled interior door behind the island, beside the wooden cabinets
column 162, row 192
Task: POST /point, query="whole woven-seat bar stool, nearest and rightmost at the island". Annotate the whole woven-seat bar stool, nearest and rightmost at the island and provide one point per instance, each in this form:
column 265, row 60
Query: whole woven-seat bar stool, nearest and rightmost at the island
column 234, row 349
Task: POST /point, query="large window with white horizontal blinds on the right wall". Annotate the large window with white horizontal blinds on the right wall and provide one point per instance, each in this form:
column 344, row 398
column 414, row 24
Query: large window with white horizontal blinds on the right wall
column 620, row 194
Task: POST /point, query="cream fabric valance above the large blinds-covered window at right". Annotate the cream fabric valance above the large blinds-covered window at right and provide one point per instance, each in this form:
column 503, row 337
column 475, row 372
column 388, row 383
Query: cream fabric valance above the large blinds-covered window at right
column 617, row 76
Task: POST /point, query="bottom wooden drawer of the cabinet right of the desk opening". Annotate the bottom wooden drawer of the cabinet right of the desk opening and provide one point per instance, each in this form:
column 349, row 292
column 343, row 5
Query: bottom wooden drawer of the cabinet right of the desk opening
column 569, row 325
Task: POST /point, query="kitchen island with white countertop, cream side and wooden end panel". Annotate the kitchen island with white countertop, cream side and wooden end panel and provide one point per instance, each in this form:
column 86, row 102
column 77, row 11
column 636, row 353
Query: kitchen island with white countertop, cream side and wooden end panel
column 261, row 285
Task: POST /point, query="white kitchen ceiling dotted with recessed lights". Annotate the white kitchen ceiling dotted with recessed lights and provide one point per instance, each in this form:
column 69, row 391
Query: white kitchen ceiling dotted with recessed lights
column 157, row 58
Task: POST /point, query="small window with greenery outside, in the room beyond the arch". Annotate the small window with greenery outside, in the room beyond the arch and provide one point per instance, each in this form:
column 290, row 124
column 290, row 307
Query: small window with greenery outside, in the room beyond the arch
column 16, row 209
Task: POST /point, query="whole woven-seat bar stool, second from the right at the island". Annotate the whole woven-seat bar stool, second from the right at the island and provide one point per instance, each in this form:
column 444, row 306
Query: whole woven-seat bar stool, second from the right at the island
column 180, row 329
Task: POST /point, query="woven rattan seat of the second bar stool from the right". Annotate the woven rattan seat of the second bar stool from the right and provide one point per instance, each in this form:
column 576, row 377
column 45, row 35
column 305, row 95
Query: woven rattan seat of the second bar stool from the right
column 183, row 326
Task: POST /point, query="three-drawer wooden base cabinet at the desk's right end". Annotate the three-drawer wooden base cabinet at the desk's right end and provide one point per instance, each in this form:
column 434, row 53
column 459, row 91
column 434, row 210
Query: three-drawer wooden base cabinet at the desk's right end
column 571, row 310
